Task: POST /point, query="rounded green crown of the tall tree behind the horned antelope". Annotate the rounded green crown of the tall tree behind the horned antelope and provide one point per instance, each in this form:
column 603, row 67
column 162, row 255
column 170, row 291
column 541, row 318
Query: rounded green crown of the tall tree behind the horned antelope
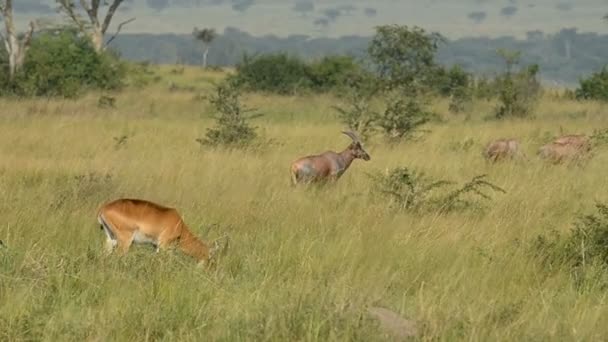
column 404, row 56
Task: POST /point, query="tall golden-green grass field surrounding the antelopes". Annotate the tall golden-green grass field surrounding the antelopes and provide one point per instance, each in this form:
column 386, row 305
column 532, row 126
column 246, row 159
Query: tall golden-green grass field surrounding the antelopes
column 302, row 264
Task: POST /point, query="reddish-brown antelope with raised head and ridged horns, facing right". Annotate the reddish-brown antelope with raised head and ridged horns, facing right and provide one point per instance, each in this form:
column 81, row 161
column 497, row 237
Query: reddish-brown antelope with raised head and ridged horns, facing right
column 328, row 166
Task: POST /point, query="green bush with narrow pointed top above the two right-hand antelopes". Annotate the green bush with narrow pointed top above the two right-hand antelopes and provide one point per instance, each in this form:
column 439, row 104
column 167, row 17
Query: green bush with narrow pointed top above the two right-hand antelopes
column 518, row 91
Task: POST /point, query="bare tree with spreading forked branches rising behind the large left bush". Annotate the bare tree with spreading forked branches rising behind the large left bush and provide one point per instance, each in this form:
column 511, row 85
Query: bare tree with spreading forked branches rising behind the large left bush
column 95, row 28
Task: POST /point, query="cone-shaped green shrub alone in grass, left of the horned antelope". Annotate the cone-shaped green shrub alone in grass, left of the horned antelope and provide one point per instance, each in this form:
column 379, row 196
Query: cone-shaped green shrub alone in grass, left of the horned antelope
column 232, row 128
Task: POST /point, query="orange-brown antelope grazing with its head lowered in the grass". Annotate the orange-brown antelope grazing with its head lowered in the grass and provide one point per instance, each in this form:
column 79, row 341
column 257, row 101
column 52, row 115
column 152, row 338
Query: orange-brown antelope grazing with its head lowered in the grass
column 127, row 221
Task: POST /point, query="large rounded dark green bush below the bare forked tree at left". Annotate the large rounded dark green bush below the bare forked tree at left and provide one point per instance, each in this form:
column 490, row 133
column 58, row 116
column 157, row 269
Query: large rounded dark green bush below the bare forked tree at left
column 65, row 64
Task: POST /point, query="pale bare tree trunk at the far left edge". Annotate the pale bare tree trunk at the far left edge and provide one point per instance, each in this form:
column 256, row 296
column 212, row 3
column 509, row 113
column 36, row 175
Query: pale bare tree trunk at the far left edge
column 16, row 46
